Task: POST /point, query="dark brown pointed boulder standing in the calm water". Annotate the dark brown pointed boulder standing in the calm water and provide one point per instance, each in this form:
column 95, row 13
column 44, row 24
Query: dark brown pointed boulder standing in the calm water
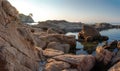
column 89, row 33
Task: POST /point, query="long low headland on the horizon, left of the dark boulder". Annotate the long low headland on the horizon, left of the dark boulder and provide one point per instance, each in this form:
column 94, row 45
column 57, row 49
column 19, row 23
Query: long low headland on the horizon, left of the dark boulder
column 60, row 26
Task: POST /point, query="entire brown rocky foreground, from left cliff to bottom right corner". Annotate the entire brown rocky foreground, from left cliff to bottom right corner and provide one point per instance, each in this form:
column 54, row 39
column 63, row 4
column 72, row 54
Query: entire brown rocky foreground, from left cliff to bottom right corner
column 24, row 48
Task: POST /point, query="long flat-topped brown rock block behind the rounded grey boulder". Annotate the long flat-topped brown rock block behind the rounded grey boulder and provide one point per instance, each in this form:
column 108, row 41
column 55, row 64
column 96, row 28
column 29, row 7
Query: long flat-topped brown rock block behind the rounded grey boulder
column 48, row 38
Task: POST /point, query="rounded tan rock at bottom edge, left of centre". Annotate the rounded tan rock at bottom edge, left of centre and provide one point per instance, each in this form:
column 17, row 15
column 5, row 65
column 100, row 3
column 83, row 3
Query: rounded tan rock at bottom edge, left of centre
column 56, row 66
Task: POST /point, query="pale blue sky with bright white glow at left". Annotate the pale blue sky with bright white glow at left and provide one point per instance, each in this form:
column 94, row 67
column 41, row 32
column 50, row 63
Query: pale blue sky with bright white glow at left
column 86, row 11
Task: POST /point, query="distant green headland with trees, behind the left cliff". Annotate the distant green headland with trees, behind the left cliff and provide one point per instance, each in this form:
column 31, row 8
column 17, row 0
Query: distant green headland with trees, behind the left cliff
column 25, row 19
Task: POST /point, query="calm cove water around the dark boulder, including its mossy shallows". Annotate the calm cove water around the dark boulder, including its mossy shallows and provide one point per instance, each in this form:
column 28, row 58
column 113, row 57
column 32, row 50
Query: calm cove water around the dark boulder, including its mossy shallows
column 89, row 47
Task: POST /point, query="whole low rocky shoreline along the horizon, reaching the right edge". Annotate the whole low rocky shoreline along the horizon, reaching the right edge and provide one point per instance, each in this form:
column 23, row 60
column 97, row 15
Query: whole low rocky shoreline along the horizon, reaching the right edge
column 63, row 26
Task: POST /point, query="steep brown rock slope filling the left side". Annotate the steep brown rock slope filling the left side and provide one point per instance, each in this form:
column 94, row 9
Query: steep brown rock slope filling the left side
column 17, row 49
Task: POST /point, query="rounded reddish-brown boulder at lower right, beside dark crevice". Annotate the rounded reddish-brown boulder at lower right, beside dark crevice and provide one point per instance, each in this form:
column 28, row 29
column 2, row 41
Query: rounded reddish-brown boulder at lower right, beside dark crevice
column 103, row 55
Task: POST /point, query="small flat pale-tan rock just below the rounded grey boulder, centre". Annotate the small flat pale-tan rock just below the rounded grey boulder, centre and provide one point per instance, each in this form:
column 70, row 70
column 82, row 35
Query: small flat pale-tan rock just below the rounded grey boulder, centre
column 52, row 52
